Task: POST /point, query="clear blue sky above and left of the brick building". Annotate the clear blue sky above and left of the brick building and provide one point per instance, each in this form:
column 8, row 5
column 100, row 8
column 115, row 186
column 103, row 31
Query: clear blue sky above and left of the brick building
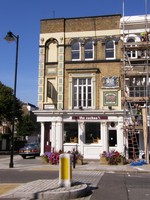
column 22, row 17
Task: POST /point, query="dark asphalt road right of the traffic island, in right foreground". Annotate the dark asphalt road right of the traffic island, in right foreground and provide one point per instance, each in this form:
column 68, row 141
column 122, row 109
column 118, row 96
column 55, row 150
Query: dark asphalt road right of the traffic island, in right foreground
column 123, row 186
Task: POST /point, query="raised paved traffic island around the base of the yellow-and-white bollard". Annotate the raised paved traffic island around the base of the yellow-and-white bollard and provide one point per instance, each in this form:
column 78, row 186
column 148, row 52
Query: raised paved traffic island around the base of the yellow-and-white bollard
column 49, row 189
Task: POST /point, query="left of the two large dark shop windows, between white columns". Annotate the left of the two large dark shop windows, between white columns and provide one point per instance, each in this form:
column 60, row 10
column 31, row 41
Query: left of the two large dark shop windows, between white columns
column 70, row 132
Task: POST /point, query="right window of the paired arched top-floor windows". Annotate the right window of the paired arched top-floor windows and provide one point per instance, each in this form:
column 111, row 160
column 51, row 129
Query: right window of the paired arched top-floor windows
column 89, row 51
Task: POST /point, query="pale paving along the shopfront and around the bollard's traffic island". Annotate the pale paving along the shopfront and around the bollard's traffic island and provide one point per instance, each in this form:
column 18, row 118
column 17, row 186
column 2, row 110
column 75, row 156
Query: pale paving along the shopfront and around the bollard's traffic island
column 85, row 179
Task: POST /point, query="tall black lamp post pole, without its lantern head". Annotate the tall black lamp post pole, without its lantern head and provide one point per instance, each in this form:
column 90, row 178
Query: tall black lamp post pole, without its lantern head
column 11, row 164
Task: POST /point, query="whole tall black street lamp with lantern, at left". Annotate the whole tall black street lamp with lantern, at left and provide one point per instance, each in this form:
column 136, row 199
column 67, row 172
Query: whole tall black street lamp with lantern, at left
column 11, row 37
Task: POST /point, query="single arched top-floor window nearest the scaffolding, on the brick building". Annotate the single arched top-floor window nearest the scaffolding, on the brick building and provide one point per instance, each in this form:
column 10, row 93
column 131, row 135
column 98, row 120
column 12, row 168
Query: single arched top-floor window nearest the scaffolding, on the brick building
column 110, row 49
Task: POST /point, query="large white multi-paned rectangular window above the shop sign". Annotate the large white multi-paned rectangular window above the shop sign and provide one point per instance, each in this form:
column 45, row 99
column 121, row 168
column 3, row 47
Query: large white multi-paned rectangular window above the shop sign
column 82, row 92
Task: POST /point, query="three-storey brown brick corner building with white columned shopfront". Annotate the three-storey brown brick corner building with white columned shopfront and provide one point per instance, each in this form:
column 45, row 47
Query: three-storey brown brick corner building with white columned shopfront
column 79, row 85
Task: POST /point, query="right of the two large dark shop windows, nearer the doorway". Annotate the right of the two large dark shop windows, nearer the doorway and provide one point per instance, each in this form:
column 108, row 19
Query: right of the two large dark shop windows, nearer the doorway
column 92, row 132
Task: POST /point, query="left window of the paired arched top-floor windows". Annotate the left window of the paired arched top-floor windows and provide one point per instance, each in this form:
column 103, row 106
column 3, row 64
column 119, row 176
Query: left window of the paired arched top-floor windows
column 75, row 51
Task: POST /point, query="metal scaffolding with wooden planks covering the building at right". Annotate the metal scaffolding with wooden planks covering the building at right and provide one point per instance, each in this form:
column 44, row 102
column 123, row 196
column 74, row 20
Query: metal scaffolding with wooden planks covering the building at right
column 135, row 91
